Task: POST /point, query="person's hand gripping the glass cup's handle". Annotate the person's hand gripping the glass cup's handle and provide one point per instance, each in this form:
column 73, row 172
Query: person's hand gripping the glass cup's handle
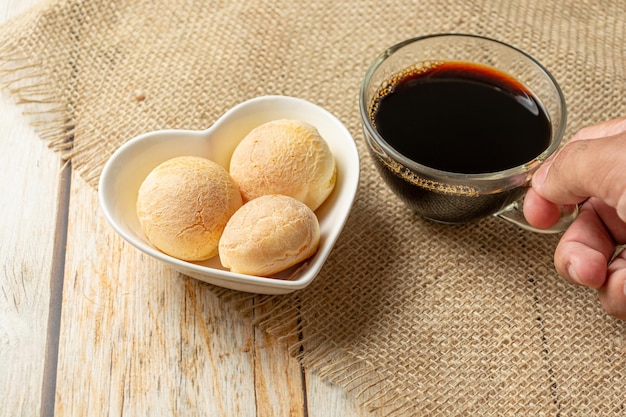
column 590, row 169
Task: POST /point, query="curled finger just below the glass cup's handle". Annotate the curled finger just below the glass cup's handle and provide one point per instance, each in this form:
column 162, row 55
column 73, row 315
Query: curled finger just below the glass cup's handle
column 584, row 251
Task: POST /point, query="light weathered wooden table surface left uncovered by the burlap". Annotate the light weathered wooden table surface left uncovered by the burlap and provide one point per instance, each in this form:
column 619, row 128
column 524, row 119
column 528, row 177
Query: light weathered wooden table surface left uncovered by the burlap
column 90, row 326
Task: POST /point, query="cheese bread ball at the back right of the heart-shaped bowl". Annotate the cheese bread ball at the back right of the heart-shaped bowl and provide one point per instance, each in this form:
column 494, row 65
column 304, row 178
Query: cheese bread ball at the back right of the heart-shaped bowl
column 286, row 157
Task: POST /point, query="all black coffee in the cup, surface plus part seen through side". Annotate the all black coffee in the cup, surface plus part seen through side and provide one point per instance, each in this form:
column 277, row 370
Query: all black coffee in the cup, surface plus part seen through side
column 463, row 118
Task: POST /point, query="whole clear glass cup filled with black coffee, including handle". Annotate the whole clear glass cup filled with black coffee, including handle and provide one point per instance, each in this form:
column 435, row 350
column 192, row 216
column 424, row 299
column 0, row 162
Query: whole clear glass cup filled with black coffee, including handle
column 457, row 124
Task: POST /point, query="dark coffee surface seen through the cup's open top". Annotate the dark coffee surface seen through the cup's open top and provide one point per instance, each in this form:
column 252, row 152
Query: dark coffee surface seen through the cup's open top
column 463, row 118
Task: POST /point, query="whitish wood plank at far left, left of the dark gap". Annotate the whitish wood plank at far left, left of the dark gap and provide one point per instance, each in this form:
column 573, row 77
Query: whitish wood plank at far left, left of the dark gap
column 29, row 182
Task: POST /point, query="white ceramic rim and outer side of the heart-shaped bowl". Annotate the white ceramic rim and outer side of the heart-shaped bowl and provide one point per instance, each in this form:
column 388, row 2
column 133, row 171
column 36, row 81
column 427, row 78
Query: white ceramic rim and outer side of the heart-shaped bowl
column 223, row 277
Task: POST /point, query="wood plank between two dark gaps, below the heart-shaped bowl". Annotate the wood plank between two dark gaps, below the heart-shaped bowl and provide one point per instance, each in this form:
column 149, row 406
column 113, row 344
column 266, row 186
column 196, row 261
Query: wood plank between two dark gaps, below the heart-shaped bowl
column 139, row 339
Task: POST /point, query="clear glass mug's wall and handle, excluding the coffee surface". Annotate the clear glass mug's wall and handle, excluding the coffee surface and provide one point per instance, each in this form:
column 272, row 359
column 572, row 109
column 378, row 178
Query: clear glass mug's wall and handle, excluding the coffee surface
column 453, row 197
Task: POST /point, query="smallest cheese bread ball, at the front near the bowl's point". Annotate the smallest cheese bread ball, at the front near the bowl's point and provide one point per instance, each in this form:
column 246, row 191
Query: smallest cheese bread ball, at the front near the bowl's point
column 269, row 234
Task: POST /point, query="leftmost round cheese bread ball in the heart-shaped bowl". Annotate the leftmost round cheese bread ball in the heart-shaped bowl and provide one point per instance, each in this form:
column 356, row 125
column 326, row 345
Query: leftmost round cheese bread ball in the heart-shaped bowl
column 184, row 204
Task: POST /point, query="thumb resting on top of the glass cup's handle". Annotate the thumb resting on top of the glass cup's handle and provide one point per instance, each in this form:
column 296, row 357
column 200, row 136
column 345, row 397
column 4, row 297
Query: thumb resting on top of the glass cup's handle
column 584, row 168
